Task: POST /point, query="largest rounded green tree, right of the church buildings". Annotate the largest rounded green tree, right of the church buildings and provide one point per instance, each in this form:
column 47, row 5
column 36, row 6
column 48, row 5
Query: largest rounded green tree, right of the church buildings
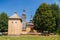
column 43, row 19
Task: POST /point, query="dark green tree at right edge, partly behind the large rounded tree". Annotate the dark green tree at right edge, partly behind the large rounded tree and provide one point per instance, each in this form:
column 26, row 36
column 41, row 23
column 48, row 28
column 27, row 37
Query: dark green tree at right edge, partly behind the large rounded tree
column 55, row 11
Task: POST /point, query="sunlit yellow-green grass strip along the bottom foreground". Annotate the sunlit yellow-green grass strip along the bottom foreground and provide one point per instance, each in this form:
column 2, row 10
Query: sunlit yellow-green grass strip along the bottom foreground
column 30, row 37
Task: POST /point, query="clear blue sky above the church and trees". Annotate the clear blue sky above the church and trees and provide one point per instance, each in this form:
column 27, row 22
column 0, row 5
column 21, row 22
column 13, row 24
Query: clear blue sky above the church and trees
column 10, row 6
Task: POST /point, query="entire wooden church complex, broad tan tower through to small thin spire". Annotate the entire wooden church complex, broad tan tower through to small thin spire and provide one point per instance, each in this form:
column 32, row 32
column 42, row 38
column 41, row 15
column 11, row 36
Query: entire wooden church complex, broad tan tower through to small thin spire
column 18, row 26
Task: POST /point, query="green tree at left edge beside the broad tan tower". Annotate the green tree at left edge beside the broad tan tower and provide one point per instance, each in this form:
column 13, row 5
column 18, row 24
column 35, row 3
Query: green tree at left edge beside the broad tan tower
column 3, row 21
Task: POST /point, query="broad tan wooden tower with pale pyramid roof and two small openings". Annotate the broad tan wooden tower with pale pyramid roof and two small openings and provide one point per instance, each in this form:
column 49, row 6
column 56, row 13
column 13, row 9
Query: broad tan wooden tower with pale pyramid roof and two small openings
column 14, row 25
